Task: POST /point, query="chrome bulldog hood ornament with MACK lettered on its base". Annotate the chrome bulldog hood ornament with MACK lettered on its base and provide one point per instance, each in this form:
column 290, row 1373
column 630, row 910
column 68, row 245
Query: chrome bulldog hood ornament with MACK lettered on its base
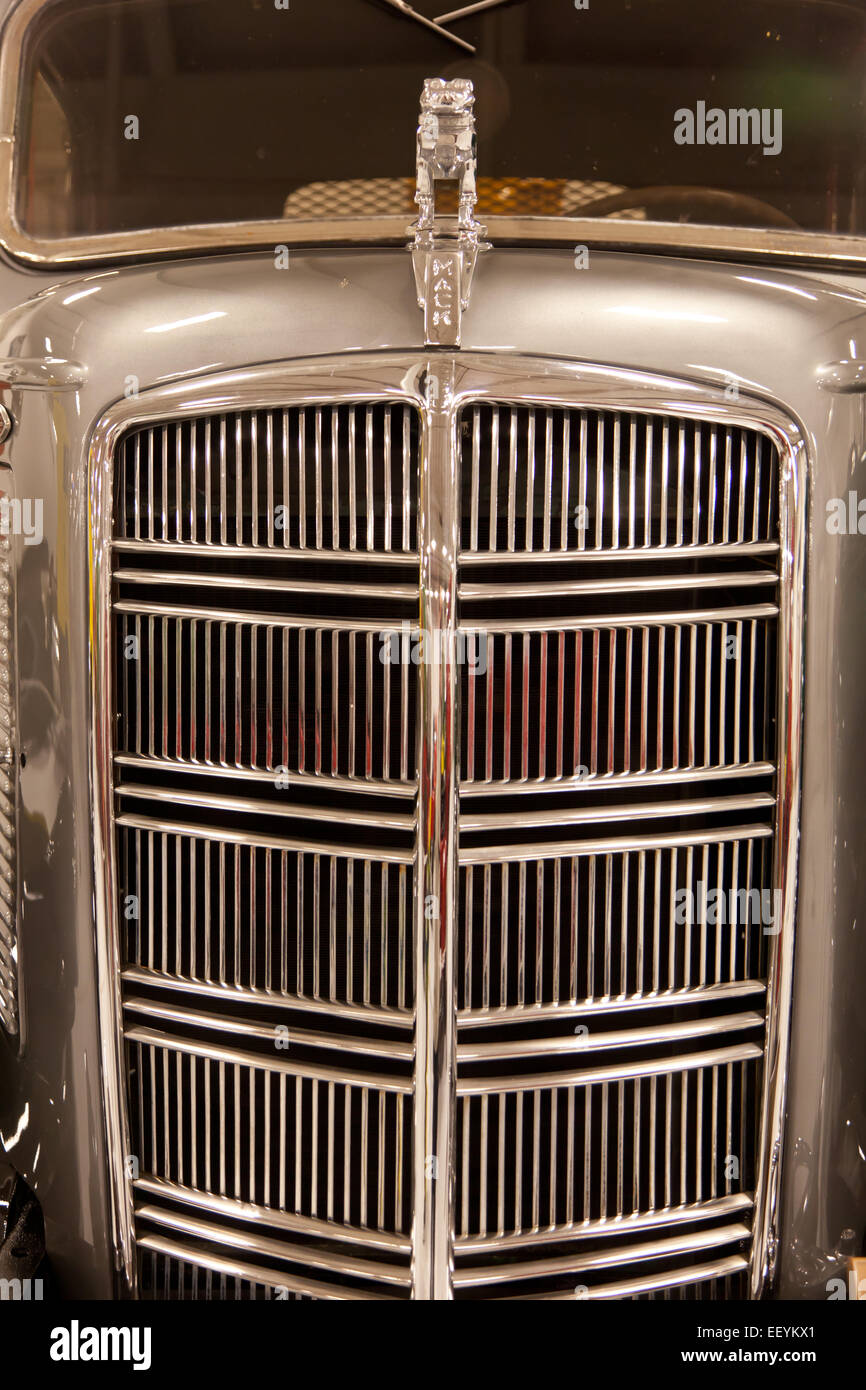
column 446, row 250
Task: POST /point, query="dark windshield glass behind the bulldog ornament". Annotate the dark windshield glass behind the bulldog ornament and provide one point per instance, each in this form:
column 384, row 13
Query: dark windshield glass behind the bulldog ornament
column 162, row 113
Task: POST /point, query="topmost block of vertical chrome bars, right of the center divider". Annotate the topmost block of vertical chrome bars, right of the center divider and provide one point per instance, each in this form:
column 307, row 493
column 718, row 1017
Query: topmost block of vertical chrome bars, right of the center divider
column 561, row 482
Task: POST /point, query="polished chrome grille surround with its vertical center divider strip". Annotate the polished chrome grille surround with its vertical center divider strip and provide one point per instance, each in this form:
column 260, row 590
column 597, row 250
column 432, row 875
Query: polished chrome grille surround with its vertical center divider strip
column 458, row 379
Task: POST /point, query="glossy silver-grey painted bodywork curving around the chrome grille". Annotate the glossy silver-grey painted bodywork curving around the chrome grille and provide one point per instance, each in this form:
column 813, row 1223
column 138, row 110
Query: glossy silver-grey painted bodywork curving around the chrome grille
column 769, row 333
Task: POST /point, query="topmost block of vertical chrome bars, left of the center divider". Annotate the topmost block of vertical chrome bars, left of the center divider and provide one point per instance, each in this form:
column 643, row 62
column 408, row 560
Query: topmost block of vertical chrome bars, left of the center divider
column 301, row 480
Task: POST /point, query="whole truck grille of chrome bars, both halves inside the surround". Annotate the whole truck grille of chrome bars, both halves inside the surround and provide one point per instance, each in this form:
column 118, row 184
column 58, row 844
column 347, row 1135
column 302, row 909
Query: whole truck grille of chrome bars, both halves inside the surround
column 616, row 847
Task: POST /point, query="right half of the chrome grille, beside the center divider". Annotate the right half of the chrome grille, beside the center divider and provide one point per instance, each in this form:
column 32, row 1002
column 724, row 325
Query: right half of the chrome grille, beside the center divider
column 619, row 591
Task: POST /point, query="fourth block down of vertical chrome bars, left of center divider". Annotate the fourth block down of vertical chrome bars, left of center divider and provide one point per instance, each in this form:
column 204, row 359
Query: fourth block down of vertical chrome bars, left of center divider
column 283, row 1136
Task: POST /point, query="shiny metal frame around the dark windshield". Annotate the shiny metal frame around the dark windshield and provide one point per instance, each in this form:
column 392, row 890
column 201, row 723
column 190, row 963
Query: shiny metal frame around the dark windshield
column 775, row 245
